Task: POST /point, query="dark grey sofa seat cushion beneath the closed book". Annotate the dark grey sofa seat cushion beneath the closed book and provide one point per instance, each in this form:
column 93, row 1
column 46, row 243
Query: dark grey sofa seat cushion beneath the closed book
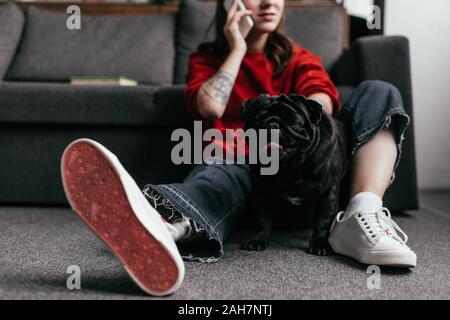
column 59, row 103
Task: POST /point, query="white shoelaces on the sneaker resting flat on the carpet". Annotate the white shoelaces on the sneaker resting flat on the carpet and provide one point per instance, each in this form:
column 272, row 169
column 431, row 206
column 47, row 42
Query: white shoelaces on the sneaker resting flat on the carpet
column 381, row 223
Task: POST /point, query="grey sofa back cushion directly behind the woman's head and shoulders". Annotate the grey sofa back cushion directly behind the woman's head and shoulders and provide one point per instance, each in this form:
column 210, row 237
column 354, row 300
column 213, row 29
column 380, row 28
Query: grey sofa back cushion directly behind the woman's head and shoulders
column 319, row 29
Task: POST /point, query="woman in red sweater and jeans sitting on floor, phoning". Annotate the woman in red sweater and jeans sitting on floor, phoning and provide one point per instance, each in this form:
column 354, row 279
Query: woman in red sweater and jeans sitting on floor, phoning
column 200, row 212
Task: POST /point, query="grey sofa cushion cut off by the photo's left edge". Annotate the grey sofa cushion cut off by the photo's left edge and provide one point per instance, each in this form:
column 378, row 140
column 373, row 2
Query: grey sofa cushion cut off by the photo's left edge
column 11, row 24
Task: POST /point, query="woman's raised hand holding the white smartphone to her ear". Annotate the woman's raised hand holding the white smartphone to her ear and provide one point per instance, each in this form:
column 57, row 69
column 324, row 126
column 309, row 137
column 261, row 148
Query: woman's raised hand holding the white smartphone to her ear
column 231, row 30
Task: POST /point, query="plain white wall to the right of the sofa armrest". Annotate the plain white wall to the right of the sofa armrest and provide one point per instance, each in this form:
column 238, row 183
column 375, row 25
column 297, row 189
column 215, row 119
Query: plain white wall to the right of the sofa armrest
column 427, row 25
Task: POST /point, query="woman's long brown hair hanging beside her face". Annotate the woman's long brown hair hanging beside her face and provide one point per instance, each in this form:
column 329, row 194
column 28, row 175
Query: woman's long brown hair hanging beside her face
column 278, row 47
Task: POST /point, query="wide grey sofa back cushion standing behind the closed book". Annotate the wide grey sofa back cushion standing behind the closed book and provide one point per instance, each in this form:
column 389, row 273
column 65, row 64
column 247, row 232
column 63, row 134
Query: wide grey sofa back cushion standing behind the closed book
column 139, row 46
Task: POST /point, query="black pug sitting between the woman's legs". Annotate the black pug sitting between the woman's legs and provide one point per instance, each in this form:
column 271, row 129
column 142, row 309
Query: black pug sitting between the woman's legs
column 312, row 163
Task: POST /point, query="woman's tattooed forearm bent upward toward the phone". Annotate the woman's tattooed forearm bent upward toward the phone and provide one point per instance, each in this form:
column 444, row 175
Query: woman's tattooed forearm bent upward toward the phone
column 213, row 95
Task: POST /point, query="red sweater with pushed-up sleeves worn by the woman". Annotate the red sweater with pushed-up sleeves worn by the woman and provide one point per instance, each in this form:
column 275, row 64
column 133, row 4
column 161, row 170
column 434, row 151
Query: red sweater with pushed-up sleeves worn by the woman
column 304, row 75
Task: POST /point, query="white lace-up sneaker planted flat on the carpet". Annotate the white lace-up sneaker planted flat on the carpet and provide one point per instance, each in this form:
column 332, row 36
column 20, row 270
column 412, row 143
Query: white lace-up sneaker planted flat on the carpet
column 371, row 238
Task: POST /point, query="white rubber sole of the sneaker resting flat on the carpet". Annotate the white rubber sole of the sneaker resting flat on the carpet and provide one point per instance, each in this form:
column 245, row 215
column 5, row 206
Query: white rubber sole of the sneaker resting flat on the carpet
column 382, row 258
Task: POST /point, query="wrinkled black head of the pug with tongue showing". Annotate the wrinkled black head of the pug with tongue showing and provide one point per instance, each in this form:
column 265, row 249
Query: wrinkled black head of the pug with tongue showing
column 296, row 118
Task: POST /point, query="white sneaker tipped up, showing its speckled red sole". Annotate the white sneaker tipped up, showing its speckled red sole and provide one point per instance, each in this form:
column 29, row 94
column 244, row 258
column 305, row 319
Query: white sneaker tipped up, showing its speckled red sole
column 104, row 195
